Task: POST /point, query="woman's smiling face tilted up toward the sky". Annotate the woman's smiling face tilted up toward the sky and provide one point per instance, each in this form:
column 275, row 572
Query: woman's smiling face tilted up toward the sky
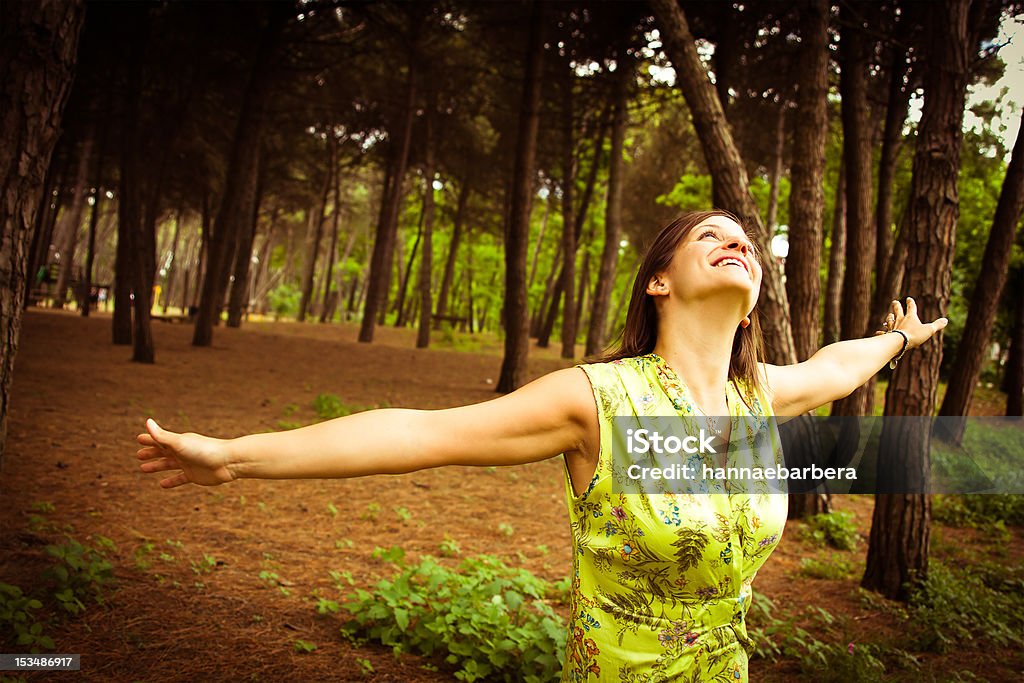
column 716, row 260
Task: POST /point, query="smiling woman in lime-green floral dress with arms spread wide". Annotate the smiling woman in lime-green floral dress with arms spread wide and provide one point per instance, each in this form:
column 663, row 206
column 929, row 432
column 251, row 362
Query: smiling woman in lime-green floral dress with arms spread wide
column 662, row 582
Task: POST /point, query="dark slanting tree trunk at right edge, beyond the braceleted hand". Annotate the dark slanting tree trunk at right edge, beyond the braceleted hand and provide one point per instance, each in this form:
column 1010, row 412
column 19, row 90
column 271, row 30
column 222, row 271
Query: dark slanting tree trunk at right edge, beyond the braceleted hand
column 986, row 300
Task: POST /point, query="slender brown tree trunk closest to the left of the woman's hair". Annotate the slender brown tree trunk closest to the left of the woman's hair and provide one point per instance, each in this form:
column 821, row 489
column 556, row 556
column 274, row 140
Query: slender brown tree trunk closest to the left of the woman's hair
column 613, row 215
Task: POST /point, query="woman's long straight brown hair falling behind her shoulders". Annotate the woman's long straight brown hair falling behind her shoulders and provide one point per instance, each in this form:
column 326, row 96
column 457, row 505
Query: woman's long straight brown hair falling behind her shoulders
column 641, row 333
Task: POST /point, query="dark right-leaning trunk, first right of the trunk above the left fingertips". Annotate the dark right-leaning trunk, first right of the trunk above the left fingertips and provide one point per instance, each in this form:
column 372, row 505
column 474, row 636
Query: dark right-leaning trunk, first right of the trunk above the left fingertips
column 242, row 179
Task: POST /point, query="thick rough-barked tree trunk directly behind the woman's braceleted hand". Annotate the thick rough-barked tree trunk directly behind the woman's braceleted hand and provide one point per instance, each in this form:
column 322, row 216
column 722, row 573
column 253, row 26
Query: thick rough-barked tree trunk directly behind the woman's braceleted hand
column 898, row 556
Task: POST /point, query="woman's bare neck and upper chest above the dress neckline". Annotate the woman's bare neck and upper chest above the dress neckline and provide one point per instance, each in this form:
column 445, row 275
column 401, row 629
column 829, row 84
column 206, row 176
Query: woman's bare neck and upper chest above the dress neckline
column 699, row 348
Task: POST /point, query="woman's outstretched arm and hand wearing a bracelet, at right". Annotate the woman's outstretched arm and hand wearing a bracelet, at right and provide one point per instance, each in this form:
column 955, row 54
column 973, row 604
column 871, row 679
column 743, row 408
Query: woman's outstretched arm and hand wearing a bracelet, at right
column 839, row 369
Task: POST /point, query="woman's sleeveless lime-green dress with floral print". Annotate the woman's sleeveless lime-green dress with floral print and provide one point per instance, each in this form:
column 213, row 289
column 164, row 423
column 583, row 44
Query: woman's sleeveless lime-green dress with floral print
column 662, row 582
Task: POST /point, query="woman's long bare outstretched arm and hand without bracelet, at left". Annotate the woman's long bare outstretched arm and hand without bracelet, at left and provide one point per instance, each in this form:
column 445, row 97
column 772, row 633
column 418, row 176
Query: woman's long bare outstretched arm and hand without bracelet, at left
column 552, row 415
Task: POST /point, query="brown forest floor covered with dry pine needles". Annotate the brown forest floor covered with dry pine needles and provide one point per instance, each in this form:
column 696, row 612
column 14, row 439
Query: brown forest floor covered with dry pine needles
column 202, row 574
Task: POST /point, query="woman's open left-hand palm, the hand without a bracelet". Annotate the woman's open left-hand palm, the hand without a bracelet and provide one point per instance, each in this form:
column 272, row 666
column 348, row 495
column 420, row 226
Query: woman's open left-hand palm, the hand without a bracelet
column 202, row 460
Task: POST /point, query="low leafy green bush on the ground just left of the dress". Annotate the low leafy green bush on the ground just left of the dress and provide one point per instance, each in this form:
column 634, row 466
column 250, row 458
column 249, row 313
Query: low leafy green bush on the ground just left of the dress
column 489, row 620
